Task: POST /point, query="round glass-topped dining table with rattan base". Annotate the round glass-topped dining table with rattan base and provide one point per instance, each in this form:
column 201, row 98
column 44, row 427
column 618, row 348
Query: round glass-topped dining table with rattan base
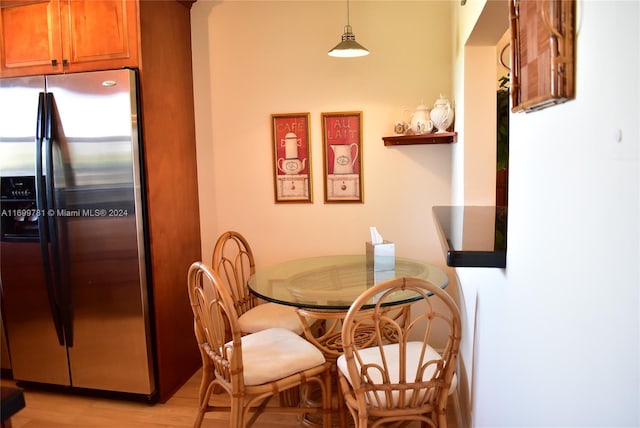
column 323, row 288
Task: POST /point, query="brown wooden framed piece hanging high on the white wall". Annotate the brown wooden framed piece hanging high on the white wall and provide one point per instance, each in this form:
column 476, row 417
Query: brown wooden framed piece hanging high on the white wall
column 542, row 53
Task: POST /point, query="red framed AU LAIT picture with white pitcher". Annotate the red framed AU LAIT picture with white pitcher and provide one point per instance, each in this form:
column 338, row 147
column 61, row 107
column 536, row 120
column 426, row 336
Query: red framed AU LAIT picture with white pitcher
column 342, row 151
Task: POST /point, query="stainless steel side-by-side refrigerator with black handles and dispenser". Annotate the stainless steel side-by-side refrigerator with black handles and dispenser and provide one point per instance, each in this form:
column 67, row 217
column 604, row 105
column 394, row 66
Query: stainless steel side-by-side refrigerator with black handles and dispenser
column 75, row 295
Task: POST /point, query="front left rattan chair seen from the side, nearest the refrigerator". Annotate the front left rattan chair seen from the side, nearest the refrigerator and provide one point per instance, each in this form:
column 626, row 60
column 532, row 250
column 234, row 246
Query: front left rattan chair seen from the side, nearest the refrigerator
column 251, row 368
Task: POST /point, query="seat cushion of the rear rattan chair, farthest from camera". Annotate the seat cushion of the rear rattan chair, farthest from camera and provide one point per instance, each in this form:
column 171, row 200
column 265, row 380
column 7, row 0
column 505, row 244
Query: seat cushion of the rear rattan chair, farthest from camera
column 270, row 315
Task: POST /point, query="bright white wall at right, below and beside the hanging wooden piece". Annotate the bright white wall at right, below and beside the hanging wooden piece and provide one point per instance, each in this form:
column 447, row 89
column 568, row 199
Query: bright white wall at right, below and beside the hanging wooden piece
column 558, row 330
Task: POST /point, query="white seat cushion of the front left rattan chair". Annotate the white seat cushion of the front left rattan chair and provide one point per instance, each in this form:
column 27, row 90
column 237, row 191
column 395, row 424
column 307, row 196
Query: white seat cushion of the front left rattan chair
column 276, row 353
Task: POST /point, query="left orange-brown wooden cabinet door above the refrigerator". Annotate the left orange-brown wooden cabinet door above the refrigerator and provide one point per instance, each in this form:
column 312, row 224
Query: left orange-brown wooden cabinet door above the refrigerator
column 29, row 37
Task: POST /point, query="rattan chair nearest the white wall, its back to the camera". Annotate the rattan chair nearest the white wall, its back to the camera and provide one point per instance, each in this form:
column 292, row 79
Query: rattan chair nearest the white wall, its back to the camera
column 403, row 380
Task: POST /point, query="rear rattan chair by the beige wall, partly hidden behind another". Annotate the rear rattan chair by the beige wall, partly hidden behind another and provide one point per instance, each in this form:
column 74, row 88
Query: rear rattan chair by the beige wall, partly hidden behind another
column 233, row 260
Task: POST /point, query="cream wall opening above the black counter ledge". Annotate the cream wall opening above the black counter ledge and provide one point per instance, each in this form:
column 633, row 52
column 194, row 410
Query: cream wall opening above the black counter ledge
column 479, row 27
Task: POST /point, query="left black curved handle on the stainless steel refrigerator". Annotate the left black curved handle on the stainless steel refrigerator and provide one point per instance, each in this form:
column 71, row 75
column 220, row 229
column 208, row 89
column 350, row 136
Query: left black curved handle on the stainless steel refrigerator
column 43, row 210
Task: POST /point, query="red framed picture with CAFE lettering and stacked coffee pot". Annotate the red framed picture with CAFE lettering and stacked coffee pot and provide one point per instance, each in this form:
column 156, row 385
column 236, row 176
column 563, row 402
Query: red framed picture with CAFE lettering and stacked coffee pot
column 291, row 157
